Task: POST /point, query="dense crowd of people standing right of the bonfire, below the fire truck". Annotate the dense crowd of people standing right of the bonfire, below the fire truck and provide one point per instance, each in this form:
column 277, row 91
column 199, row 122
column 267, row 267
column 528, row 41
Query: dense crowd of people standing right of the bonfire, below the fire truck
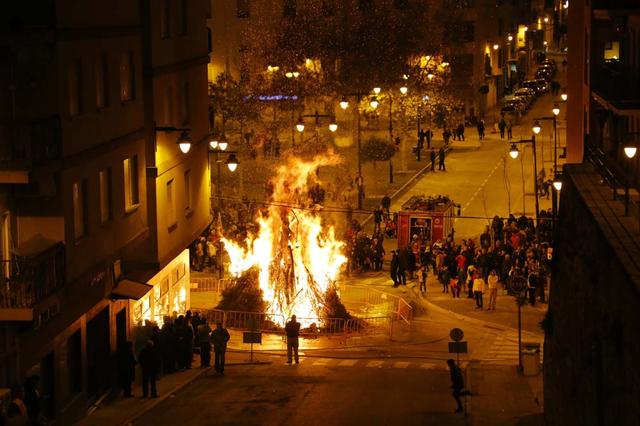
column 508, row 252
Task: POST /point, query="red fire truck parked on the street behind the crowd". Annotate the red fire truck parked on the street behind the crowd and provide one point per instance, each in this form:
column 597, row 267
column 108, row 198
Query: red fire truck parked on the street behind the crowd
column 429, row 218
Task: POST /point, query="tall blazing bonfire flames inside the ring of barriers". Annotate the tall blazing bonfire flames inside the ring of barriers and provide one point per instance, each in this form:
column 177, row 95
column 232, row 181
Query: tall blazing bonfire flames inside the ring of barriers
column 297, row 257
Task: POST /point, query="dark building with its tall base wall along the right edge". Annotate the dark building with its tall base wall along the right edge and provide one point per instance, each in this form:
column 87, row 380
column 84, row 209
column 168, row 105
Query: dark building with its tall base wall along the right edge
column 591, row 373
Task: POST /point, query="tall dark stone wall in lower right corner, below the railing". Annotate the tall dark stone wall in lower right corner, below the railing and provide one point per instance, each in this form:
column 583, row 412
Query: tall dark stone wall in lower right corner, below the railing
column 592, row 353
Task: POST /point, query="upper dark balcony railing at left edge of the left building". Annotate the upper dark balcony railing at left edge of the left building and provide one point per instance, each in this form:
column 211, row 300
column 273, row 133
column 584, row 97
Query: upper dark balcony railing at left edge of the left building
column 30, row 144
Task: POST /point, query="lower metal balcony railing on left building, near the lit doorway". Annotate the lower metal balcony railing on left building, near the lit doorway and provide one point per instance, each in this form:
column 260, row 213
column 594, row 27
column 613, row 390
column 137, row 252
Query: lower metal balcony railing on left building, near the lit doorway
column 26, row 281
